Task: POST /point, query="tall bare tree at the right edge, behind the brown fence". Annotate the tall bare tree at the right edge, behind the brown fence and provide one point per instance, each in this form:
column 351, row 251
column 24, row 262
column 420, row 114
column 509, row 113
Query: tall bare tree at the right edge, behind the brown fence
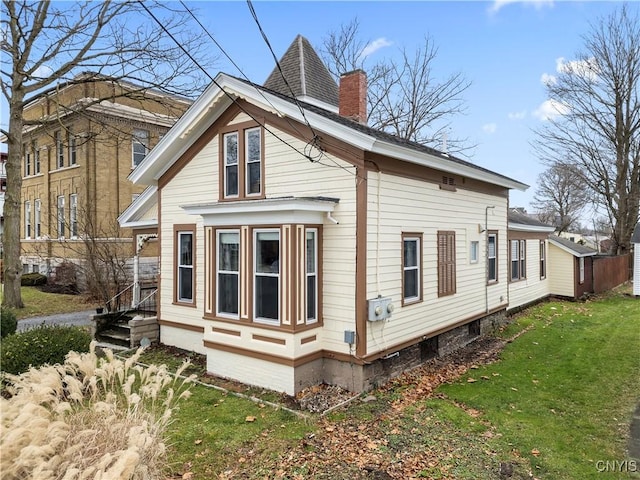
column 597, row 129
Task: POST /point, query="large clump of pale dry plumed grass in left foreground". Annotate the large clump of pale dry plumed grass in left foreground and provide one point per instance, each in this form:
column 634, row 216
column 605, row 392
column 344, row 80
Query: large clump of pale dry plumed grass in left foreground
column 97, row 418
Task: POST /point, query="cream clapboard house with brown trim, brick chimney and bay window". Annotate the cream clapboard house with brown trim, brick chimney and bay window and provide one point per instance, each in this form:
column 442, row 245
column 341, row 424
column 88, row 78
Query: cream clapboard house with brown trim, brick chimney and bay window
column 300, row 246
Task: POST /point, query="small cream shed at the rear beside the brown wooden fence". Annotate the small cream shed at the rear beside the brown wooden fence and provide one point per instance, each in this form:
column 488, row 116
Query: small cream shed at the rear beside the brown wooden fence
column 570, row 268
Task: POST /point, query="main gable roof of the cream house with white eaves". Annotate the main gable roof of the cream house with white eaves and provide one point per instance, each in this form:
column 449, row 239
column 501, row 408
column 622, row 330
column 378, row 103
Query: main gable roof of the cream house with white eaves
column 227, row 89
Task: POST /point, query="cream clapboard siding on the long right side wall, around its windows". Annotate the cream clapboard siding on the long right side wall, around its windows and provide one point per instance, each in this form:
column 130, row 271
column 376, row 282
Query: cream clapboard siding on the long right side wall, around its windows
column 407, row 205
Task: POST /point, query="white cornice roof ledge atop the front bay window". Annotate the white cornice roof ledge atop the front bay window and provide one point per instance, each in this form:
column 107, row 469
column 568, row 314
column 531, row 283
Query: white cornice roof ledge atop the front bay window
column 260, row 212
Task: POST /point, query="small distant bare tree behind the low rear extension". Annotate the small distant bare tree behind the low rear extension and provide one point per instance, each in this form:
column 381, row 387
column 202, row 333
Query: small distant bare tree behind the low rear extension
column 560, row 198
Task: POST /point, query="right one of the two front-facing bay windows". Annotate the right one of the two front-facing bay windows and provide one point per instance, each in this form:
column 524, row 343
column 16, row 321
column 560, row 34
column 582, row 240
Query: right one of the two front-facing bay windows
column 266, row 289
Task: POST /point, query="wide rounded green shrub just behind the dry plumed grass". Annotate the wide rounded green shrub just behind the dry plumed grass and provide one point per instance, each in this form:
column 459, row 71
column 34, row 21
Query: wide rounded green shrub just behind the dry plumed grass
column 41, row 345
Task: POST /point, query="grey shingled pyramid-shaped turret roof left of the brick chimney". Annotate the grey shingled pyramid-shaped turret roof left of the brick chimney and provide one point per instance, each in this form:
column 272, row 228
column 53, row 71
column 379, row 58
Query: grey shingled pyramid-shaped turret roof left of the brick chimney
column 306, row 75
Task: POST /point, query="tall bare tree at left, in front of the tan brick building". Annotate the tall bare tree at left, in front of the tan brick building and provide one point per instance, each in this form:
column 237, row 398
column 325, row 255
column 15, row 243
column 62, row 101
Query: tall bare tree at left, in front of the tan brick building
column 45, row 44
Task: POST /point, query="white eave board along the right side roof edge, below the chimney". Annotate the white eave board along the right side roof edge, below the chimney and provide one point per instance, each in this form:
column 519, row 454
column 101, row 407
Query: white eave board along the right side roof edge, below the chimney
column 432, row 161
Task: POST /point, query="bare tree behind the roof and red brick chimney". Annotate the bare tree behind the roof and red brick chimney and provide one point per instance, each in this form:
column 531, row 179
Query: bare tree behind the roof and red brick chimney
column 405, row 97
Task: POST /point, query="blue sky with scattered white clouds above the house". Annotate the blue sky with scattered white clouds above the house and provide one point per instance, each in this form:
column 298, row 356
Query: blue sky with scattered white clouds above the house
column 504, row 47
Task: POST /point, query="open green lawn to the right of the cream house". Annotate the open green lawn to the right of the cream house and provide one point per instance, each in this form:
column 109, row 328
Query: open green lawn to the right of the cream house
column 563, row 393
